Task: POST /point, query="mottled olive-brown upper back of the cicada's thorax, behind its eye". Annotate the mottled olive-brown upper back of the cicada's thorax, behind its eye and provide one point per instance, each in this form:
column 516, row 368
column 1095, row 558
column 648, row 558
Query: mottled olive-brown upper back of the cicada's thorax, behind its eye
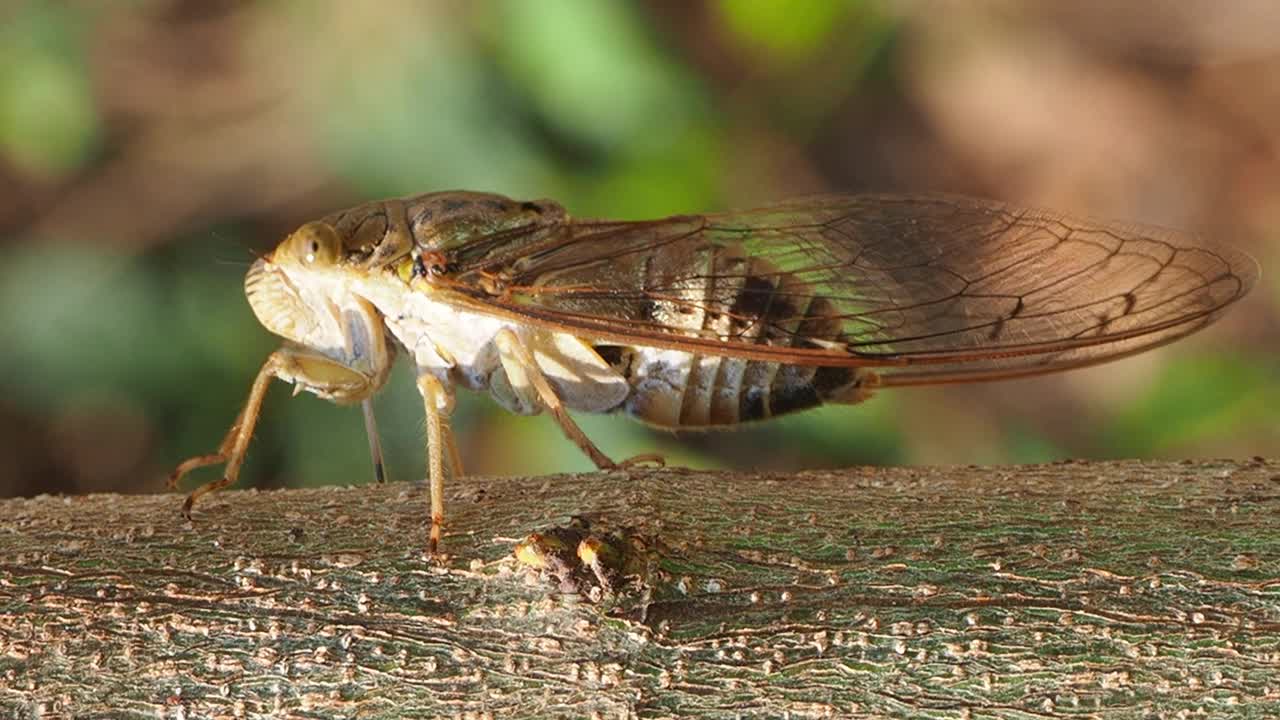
column 390, row 231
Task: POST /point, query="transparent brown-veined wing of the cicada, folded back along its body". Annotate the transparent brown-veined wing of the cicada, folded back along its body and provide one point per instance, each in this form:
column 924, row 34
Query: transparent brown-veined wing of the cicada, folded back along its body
column 934, row 289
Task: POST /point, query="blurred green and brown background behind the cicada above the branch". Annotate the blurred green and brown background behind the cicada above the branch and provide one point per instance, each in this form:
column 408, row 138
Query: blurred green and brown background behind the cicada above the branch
column 149, row 148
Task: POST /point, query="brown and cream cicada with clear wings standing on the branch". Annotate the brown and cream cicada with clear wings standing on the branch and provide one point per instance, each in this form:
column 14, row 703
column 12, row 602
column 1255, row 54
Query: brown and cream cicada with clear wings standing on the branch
column 706, row 321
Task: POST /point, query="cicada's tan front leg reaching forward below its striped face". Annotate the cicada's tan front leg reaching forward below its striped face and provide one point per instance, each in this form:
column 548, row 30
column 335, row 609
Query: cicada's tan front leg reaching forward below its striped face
column 308, row 371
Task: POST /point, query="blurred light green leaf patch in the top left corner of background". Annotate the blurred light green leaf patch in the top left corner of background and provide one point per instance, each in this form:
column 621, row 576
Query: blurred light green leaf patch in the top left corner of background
column 48, row 121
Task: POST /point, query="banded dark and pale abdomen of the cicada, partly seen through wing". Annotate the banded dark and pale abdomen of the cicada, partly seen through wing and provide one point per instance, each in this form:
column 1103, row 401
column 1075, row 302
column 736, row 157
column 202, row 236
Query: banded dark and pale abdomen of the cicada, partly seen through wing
column 744, row 298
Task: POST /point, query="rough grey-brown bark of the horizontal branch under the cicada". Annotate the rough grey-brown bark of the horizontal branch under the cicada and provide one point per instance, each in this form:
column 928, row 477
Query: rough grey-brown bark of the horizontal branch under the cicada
column 1130, row 590
